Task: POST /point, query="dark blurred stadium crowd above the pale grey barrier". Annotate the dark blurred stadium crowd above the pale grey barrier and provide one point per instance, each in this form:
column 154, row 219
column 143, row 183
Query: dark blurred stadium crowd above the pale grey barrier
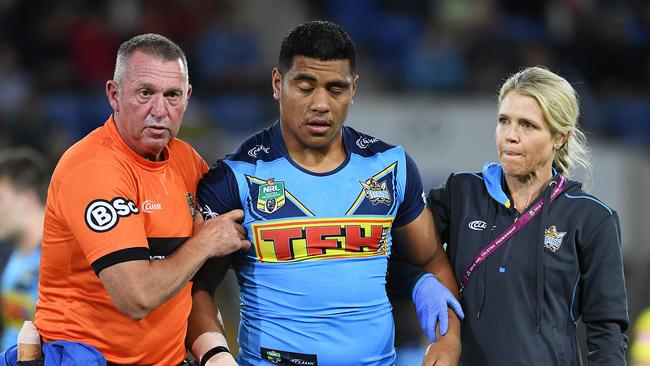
column 55, row 58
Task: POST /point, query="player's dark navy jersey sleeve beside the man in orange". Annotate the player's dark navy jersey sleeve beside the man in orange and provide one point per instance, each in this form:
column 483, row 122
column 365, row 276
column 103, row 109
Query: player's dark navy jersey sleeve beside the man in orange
column 217, row 191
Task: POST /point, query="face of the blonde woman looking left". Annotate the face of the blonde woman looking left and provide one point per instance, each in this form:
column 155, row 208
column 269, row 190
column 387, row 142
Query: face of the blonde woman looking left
column 523, row 138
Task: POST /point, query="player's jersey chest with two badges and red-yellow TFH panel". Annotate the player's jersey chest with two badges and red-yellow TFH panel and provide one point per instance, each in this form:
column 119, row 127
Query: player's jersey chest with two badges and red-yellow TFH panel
column 295, row 216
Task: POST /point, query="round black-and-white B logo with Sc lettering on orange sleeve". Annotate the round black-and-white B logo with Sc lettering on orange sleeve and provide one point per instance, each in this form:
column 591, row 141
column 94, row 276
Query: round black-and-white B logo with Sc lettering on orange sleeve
column 102, row 215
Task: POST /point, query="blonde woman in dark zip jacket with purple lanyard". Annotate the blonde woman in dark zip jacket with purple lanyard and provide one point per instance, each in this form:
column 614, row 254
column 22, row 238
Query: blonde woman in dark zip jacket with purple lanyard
column 532, row 251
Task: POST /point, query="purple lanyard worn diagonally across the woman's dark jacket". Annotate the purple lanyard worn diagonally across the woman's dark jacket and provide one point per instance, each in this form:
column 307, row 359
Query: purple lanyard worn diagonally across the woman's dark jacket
column 508, row 233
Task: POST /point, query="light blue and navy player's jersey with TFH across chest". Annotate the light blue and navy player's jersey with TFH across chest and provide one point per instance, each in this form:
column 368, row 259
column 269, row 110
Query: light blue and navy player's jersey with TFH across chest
column 313, row 282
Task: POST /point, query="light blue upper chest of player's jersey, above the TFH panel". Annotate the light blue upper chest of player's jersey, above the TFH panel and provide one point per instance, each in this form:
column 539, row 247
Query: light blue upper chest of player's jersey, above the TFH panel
column 276, row 192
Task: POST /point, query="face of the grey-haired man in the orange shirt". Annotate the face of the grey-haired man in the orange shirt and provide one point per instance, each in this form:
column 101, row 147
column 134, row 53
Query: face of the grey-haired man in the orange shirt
column 149, row 102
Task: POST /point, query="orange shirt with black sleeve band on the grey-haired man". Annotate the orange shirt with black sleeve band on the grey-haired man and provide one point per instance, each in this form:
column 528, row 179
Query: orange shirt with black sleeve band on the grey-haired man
column 107, row 205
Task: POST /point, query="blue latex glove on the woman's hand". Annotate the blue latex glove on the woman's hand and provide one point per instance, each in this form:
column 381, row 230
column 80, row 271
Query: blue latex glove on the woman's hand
column 431, row 299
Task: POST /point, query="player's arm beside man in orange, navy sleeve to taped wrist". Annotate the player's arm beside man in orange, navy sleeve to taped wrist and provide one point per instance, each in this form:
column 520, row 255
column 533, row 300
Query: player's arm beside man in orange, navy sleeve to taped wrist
column 217, row 192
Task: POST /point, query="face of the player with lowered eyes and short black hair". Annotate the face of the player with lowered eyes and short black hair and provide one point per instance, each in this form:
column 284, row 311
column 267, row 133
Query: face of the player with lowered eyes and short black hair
column 314, row 97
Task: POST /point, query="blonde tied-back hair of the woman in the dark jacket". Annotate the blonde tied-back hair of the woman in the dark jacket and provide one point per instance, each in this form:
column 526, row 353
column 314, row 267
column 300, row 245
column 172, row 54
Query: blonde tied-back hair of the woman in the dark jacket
column 559, row 103
